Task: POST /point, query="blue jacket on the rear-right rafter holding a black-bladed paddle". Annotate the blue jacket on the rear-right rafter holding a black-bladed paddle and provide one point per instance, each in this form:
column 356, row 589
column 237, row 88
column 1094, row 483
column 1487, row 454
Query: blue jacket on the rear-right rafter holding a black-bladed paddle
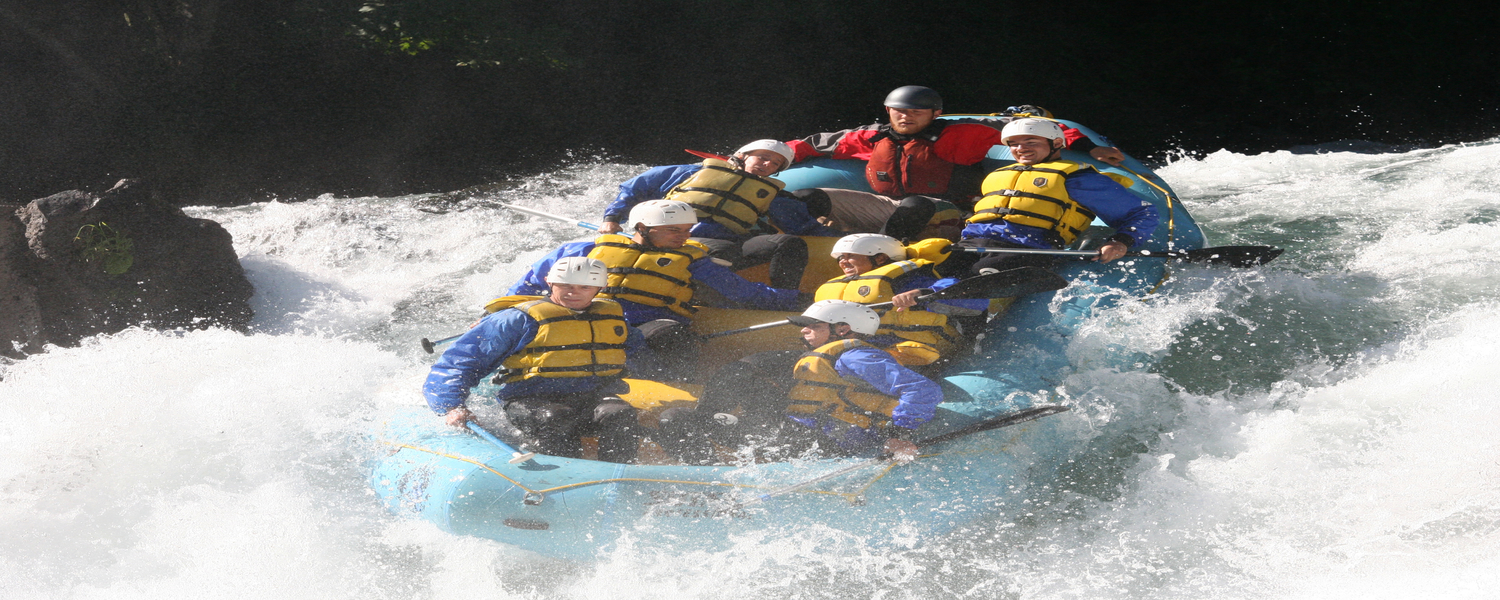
column 1117, row 206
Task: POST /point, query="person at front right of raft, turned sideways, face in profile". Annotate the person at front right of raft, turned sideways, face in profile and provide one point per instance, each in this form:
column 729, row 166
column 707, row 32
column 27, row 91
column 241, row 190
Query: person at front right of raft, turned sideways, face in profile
column 845, row 397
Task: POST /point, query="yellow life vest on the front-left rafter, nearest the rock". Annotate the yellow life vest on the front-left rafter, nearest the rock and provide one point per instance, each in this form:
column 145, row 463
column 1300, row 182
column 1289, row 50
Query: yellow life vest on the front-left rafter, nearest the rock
column 589, row 343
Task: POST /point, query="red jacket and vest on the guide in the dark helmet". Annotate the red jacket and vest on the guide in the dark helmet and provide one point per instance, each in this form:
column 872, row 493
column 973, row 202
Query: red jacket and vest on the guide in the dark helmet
column 919, row 164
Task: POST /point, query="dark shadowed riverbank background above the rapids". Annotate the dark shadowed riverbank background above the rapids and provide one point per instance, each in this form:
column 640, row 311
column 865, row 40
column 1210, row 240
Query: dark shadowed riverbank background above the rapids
column 226, row 103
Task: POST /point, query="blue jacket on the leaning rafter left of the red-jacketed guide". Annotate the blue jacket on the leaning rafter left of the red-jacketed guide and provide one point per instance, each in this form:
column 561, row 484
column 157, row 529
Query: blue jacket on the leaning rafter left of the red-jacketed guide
column 787, row 214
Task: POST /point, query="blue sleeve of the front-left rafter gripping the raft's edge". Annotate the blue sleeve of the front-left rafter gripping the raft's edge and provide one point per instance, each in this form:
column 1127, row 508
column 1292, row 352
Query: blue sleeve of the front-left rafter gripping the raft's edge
column 478, row 353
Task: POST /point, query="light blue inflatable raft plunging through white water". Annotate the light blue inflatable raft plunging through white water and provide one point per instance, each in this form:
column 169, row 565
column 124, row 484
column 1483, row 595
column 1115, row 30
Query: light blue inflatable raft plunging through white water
column 577, row 509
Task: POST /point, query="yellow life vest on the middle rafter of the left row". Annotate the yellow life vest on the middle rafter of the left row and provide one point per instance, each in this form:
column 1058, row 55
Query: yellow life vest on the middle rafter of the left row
column 653, row 277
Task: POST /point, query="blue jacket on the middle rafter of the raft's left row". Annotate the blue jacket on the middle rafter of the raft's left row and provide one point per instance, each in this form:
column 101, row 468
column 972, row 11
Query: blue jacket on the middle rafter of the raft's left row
column 727, row 283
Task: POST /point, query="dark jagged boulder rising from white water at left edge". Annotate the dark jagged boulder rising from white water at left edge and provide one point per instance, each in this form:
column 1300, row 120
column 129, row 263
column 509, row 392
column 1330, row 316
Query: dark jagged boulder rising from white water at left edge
column 76, row 265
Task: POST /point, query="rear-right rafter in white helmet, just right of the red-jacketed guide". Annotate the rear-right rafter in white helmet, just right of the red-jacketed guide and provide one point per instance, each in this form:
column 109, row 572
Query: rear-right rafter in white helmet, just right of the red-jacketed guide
column 1046, row 203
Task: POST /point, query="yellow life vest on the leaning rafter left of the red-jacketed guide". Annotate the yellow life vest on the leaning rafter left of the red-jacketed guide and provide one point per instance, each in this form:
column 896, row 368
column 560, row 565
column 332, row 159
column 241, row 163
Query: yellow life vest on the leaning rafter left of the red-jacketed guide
column 731, row 197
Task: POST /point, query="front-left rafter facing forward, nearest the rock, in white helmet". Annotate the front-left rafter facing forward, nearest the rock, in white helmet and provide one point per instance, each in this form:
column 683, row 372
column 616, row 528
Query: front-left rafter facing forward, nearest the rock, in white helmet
column 562, row 359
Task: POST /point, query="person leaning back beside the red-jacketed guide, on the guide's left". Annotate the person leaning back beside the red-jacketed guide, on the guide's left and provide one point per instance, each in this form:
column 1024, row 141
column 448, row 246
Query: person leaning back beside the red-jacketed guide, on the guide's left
column 737, row 203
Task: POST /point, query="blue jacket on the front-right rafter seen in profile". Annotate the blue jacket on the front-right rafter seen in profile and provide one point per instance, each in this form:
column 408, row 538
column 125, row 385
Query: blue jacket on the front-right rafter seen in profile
column 917, row 397
